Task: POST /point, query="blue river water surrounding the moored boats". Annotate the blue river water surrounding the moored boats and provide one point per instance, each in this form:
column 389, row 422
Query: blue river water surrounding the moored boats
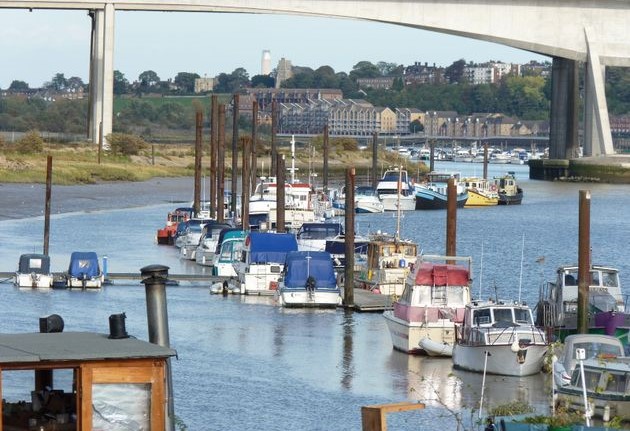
column 244, row 363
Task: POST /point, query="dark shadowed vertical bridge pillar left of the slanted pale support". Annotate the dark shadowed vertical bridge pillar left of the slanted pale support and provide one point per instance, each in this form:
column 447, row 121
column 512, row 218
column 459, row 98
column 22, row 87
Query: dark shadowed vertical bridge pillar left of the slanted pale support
column 563, row 136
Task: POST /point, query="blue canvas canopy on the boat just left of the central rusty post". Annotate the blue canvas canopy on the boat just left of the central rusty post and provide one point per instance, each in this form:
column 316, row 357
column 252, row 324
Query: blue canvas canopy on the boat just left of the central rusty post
column 301, row 265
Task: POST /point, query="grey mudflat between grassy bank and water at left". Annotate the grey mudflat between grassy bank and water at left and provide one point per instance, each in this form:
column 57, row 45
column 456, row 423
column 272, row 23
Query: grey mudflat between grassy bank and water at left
column 29, row 200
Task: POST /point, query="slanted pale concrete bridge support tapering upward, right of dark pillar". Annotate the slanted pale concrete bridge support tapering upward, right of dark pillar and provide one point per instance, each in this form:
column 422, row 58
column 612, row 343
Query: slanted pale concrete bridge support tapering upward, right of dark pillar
column 597, row 135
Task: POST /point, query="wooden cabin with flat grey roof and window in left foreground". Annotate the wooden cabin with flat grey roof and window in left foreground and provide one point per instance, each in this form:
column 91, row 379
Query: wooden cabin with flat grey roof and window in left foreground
column 67, row 381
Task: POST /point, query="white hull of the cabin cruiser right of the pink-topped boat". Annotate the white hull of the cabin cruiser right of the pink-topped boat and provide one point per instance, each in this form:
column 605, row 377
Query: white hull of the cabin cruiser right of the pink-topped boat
column 501, row 359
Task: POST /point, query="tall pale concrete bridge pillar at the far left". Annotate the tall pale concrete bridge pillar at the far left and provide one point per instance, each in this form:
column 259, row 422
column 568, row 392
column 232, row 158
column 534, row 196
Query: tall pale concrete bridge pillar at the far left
column 101, row 74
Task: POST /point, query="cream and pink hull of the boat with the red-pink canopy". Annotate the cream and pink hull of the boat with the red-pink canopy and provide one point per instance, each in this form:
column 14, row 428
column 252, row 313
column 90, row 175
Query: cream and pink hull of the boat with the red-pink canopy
column 406, row 336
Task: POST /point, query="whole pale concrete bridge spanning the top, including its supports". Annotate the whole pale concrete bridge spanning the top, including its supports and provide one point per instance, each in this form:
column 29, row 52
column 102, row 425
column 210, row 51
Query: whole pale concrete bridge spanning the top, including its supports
column 596, row 33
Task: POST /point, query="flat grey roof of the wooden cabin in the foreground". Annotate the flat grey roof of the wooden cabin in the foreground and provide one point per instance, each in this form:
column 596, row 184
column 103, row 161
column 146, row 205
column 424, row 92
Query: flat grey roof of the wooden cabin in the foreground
column 75, row 346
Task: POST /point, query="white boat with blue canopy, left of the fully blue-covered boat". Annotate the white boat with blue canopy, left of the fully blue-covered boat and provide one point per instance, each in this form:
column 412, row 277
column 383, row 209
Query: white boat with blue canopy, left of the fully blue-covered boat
column 264, row 255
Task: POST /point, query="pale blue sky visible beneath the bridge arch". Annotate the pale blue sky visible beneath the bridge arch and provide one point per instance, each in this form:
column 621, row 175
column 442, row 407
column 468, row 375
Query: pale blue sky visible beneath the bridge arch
column 34, row 46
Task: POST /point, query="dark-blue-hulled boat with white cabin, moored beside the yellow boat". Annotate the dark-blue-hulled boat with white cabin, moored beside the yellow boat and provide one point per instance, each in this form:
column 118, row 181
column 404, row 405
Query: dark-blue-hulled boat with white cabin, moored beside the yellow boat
column 432, row 194
